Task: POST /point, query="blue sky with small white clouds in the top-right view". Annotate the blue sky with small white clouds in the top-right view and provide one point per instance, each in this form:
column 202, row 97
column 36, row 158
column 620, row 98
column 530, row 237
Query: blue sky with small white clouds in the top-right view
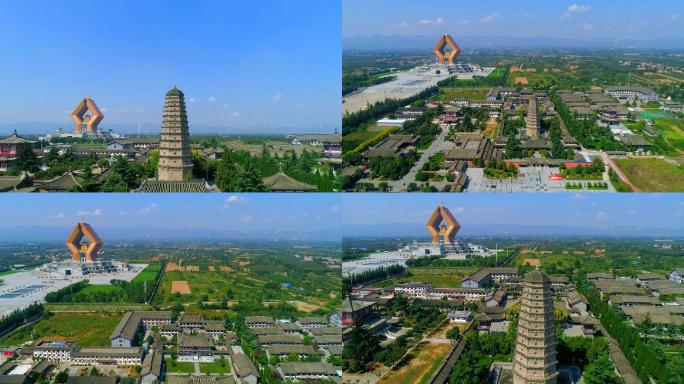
column 523, row 18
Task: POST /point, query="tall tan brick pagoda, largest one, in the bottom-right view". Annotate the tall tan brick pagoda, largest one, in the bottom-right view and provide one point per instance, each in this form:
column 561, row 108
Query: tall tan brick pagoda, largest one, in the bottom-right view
column 535, row 347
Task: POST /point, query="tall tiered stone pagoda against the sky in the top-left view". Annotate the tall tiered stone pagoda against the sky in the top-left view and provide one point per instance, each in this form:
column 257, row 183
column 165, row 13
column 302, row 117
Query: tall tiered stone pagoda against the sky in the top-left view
column 175, row 162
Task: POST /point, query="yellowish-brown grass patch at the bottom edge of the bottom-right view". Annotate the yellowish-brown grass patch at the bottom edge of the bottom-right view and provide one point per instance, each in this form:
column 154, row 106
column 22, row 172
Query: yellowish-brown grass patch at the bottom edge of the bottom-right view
column 419, row 369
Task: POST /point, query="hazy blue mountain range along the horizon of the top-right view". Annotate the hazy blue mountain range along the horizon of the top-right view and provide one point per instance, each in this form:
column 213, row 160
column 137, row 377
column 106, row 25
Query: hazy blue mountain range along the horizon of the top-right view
column 387, row 42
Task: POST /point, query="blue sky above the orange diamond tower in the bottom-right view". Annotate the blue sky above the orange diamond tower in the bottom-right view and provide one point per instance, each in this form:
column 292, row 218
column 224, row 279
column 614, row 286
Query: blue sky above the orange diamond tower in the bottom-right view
column 558, row 209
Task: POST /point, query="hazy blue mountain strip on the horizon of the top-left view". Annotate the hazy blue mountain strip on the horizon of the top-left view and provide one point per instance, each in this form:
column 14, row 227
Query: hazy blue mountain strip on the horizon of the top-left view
column 40, row 128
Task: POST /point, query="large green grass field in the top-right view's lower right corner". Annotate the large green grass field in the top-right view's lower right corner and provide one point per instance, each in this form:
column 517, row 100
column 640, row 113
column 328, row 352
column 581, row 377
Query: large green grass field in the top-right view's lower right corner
column 653, row 175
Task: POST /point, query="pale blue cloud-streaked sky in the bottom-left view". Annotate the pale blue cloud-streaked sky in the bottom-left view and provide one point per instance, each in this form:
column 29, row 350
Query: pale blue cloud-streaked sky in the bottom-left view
column 237, row 212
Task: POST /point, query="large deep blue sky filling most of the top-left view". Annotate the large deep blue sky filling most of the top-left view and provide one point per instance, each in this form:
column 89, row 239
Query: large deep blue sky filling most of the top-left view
column 239, row 63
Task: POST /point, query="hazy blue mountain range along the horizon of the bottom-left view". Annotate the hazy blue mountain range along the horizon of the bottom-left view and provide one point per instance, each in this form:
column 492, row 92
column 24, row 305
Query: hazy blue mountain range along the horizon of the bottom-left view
column 35, row 233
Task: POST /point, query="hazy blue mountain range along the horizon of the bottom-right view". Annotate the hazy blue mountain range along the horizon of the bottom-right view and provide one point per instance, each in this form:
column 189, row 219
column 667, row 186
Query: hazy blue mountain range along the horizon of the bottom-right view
column 504, row 230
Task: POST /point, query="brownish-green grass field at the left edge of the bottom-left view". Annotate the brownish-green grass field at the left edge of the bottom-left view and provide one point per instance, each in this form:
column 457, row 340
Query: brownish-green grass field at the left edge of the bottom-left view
column 89, row 330
